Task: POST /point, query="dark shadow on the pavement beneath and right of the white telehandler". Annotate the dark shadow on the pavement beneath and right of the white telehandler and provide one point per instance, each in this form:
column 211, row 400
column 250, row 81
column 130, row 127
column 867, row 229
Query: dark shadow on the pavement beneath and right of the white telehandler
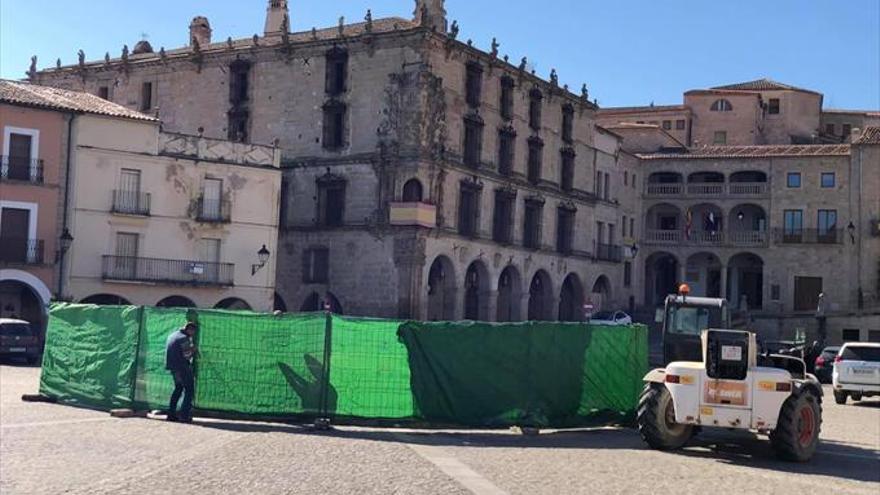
column 833, row 459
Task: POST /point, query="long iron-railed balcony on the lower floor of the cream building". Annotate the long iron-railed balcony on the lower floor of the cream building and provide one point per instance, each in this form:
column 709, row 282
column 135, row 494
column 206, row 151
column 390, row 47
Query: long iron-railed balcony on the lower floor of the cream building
column 171, row 272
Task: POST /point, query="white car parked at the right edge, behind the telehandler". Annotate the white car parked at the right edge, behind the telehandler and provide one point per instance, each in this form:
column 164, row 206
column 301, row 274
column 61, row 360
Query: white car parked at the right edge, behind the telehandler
column 856, row 371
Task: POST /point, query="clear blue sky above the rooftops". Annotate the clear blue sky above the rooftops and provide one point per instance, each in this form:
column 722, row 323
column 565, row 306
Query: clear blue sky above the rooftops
column 629, row 52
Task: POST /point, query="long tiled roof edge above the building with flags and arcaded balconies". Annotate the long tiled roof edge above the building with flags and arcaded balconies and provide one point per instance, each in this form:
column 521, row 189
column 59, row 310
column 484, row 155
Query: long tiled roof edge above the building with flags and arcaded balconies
column 753, row 152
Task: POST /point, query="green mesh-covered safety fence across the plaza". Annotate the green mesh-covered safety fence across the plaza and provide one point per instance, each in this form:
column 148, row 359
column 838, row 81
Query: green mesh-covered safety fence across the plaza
column 352, row 370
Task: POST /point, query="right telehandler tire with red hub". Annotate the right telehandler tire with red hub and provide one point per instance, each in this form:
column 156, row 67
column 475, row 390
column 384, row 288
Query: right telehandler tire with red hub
column 796, row 436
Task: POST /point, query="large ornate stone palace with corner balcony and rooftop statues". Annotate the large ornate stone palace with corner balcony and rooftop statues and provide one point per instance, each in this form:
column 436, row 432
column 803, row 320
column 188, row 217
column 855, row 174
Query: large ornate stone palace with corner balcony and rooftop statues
column 423, row 177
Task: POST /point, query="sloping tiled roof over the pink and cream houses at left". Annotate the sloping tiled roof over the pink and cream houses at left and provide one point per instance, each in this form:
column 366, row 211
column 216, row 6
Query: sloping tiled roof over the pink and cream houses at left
column 33, row 95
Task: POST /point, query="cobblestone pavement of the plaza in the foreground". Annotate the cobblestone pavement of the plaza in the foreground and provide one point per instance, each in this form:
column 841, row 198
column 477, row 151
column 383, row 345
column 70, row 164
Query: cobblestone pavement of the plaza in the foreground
column 46, row 448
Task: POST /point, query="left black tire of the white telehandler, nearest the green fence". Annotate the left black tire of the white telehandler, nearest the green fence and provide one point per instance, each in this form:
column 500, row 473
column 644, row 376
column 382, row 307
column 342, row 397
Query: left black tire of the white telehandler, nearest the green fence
column 656, row 419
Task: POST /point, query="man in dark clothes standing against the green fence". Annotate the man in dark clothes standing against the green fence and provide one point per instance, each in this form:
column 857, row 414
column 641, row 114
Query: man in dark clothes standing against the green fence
column 179, row 351
